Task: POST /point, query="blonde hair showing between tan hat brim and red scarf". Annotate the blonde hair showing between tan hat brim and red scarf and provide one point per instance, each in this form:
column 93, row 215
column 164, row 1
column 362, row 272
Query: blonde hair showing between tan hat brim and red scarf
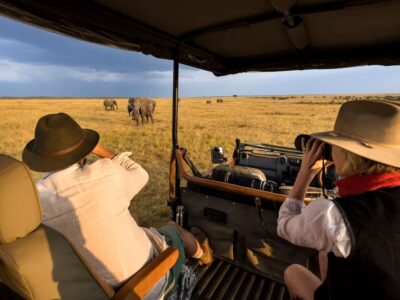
column 358, row 165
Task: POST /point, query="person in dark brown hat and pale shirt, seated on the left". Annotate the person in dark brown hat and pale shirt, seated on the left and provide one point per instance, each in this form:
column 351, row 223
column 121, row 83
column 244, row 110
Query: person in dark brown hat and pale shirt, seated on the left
column 89, row 203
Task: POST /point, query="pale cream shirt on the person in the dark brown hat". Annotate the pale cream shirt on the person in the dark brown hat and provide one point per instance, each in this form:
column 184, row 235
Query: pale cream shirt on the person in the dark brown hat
column 89, row 205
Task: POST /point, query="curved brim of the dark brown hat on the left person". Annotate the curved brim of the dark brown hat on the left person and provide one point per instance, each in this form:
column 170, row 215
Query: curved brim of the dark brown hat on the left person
column 40, row 163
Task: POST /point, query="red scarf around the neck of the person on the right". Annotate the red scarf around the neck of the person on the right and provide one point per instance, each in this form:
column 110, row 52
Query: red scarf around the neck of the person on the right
column 358, row 184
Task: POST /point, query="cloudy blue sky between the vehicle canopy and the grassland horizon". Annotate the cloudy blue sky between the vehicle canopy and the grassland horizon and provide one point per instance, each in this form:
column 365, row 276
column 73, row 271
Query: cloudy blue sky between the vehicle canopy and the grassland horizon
column 35, row 62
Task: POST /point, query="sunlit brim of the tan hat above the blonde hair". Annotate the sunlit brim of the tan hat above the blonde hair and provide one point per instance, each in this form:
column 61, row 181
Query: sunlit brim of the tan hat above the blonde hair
column 383, row 154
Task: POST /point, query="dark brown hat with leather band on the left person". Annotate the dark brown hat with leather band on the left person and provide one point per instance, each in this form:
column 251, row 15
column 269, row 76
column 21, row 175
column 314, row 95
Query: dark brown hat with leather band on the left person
column 59, row 142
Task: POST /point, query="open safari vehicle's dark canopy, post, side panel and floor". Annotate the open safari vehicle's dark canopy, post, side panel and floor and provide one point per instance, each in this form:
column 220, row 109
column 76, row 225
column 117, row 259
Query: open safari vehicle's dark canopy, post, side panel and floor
column 228, row 37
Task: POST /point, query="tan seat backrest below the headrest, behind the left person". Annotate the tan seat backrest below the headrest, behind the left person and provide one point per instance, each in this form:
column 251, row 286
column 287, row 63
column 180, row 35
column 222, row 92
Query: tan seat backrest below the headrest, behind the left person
column 43, row 265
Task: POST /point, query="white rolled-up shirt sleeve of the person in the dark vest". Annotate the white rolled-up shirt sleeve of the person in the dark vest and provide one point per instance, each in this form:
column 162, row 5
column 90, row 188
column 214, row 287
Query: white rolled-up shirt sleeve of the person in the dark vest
column 318, row 225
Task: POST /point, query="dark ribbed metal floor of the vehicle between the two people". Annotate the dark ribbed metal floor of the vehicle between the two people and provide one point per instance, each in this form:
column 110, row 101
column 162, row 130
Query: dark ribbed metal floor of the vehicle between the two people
column 222, row 280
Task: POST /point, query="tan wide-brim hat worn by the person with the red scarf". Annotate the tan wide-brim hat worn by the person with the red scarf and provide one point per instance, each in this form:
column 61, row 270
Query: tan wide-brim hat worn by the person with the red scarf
column 370, row 129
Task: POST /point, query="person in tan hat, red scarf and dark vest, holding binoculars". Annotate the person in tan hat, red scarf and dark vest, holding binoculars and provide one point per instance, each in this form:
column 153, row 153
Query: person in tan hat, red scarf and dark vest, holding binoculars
column 358, row 233
